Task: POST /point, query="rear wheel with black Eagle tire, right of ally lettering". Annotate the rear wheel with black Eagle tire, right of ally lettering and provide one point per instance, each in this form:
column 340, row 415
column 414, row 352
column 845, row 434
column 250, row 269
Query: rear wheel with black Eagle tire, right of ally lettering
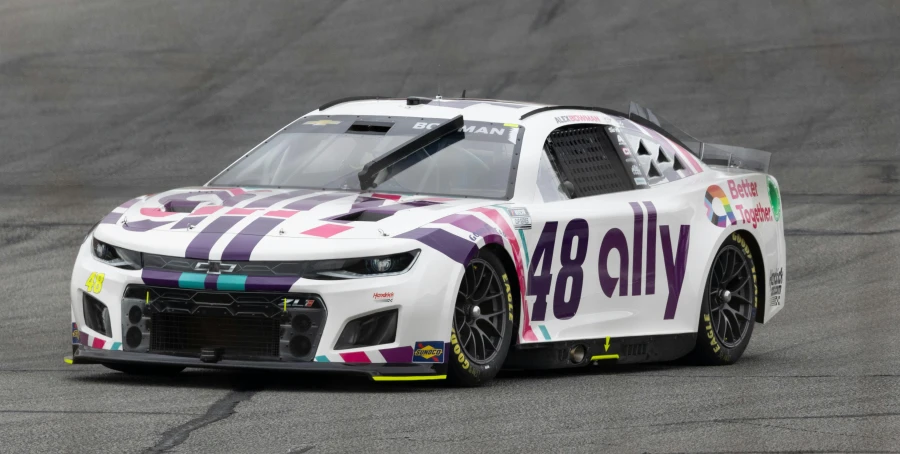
column 728, row 311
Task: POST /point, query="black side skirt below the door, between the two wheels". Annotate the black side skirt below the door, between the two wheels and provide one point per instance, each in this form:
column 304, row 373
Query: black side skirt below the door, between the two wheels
column 621, row 350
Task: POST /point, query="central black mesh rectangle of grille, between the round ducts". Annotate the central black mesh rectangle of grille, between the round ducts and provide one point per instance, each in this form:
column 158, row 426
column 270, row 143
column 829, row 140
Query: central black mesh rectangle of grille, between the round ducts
column 235, row 336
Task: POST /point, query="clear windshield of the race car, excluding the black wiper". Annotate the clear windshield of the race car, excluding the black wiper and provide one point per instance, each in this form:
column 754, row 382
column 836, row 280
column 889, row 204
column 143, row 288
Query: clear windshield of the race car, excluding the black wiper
column 322, row 152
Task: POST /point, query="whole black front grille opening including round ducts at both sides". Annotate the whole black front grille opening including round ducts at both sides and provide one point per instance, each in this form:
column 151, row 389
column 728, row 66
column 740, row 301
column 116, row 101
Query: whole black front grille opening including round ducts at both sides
column 215, row 324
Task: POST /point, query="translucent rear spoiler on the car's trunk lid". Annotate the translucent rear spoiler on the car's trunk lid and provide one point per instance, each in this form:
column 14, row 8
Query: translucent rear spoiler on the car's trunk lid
column 711, row 154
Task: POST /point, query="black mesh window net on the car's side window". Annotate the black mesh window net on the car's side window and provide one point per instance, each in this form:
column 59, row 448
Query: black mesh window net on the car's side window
column 585, row 156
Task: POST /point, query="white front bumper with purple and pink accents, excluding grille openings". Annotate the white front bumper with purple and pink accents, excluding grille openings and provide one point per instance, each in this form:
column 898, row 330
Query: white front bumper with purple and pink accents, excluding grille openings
column 422, row 297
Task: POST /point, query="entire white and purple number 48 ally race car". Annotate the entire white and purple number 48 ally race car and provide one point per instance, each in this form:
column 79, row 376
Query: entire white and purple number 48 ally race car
column 421, row 239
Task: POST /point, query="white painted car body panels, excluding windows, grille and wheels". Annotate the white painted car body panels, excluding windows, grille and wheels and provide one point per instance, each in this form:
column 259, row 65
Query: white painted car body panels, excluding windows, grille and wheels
column 637, row 269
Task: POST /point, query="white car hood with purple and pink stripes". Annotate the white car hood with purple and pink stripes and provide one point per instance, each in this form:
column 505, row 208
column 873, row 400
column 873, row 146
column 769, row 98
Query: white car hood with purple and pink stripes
column 189, row 218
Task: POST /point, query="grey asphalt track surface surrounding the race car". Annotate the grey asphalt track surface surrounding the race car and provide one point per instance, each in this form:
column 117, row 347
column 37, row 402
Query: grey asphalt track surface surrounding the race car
column 104, row 100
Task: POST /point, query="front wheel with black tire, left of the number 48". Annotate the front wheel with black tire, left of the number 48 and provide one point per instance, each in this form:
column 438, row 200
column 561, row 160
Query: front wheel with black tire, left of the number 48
column 480, row 338
